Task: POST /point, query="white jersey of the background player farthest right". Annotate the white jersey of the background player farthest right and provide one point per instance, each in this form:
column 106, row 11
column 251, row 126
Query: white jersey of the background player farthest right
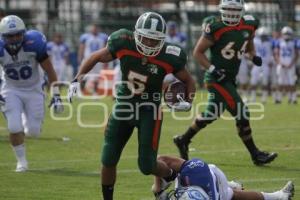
column 287, row 51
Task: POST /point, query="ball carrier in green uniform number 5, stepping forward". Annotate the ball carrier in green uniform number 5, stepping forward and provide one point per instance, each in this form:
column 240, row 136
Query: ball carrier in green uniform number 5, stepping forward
column 145, row 60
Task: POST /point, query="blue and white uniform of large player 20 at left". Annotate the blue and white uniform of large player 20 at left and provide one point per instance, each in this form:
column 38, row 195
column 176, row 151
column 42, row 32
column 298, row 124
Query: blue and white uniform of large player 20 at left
column 22, row 84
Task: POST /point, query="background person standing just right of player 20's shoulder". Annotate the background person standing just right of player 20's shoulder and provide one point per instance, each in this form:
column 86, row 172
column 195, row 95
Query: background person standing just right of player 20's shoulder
column 58, row 51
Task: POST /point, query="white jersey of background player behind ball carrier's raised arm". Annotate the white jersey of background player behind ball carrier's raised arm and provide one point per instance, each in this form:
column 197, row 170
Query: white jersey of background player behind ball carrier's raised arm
column 92, row 43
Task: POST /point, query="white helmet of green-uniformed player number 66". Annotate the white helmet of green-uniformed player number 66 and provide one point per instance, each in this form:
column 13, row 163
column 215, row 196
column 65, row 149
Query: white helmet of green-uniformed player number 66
column 231, row 11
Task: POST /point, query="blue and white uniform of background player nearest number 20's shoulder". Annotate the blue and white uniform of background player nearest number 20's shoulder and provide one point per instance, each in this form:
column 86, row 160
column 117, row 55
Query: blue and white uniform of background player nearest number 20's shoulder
column 58, row 54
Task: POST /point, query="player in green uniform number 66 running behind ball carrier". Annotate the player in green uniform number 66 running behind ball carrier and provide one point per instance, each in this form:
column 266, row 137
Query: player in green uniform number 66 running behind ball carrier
column 227, row 37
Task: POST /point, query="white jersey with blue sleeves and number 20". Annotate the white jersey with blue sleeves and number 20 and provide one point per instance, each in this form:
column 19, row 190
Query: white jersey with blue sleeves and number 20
column 22, row 71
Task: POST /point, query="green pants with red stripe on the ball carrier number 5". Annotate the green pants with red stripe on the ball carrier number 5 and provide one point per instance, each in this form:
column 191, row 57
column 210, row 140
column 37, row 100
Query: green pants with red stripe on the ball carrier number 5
column 120, row 128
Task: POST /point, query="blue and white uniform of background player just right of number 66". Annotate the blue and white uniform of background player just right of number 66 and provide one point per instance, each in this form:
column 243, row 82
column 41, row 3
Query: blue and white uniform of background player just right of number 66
column 262, row 74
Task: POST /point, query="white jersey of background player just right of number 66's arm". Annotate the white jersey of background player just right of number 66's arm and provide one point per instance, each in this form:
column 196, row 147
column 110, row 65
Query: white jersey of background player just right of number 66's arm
column 264, row 50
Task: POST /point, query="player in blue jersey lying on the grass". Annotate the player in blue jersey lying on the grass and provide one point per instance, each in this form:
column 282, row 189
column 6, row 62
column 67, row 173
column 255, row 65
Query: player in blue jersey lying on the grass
column 198, row 180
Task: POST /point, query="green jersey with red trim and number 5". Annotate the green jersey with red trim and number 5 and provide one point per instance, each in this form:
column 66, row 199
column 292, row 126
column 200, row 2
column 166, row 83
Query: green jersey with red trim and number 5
column 142, row 77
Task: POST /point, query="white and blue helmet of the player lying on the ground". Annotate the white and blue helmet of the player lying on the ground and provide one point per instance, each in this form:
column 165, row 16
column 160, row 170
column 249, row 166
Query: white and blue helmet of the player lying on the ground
column 191, row 193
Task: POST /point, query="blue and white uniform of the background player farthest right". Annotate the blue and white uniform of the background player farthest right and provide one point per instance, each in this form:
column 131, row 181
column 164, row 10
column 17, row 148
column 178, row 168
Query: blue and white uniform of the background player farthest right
column 287, row 53
